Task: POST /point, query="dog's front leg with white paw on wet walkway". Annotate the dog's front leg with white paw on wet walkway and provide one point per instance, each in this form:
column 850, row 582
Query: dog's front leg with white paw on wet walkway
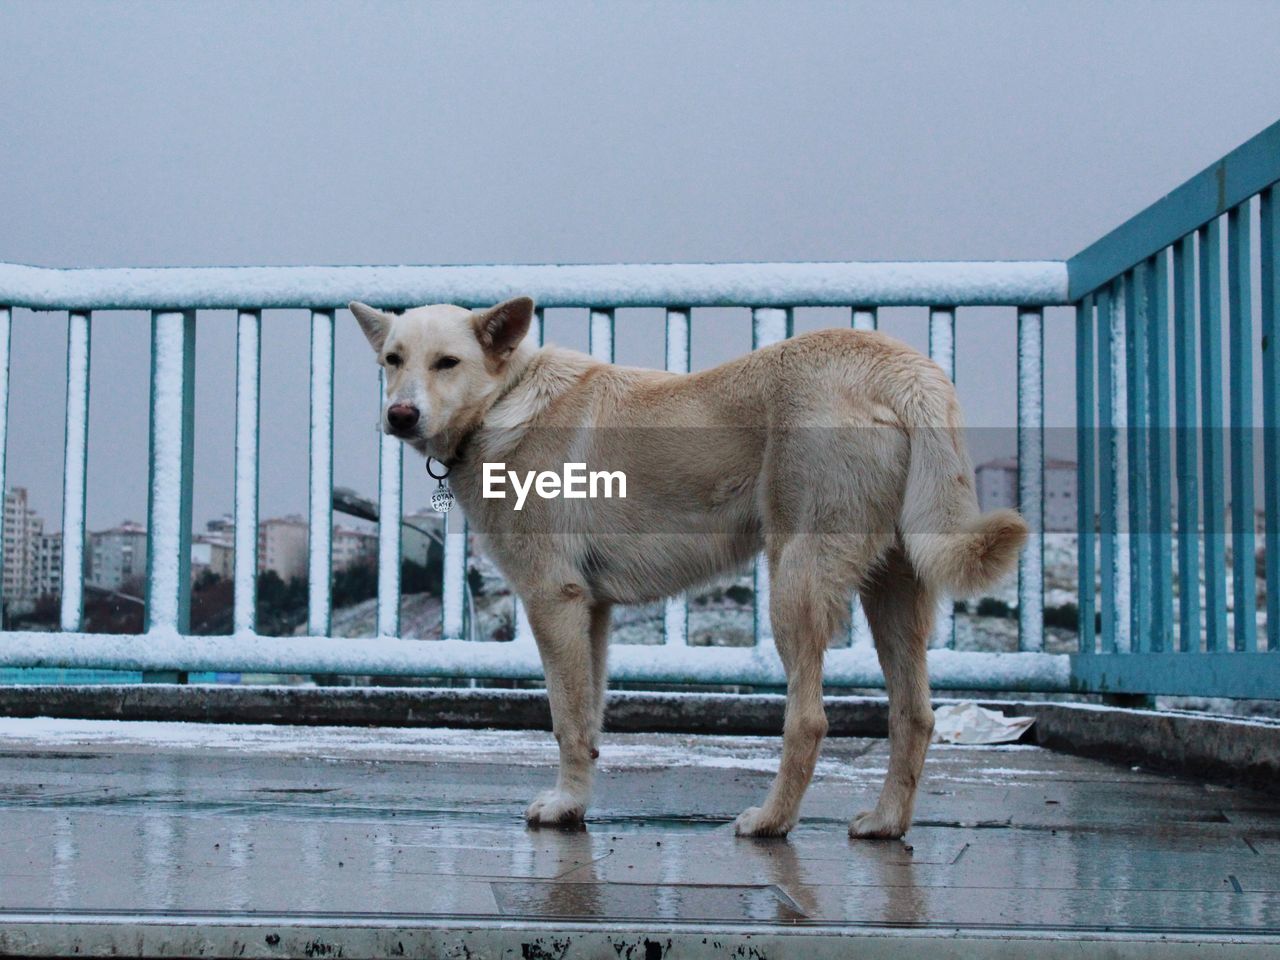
column 563, row 629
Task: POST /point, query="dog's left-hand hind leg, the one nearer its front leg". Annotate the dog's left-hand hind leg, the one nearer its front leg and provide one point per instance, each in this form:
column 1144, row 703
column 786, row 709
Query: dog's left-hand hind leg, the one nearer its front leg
column 804, row 614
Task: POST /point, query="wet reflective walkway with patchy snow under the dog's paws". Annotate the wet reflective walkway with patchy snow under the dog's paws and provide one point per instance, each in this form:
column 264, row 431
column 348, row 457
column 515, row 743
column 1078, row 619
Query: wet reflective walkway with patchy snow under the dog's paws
column 185, row 840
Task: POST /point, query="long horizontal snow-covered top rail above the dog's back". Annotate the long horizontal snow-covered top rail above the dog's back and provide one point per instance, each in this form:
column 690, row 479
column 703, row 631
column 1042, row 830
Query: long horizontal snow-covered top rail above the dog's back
column 881, row 284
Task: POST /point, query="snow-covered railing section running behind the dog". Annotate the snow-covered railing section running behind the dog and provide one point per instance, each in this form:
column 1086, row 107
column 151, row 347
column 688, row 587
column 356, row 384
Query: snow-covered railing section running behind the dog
column 771, row 291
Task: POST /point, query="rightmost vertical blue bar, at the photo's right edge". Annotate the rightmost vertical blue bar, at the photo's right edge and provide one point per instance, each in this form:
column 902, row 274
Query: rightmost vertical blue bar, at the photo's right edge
column 1270, row 295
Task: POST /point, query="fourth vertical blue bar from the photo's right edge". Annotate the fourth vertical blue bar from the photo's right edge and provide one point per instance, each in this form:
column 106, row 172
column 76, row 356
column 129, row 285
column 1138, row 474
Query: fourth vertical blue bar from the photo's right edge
column 1188, row 486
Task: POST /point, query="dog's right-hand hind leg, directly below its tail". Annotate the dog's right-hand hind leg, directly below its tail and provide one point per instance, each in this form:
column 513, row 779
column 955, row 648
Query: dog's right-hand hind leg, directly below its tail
column 900, row 611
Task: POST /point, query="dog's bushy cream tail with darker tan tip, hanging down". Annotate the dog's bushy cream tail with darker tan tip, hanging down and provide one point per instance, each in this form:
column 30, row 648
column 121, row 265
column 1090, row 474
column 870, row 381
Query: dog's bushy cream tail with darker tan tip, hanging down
column 953, row 547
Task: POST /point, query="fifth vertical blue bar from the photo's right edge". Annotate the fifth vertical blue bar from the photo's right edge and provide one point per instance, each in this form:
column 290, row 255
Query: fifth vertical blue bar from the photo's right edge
column 1160, row 476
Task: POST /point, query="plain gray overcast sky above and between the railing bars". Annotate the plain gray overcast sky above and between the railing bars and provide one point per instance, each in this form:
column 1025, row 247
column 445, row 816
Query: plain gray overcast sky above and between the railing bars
column 380, row 134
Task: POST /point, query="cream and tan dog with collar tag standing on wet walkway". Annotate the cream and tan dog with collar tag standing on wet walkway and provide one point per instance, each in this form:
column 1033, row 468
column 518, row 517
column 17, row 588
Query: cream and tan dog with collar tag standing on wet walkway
column 839, row 454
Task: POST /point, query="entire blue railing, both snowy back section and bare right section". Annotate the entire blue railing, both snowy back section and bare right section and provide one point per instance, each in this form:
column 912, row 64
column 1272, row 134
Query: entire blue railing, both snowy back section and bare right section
column 1135, row 291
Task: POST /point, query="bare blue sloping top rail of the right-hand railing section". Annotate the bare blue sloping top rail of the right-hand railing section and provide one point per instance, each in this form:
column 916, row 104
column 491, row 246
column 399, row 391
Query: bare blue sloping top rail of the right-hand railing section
column 1249, row 170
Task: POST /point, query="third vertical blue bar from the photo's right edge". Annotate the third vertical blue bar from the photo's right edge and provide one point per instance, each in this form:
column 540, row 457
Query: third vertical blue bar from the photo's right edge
column 1213, row 428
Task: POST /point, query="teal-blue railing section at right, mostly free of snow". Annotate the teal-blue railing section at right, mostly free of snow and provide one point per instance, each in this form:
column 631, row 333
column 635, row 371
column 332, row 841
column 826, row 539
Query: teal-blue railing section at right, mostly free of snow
column 1171, row 465
